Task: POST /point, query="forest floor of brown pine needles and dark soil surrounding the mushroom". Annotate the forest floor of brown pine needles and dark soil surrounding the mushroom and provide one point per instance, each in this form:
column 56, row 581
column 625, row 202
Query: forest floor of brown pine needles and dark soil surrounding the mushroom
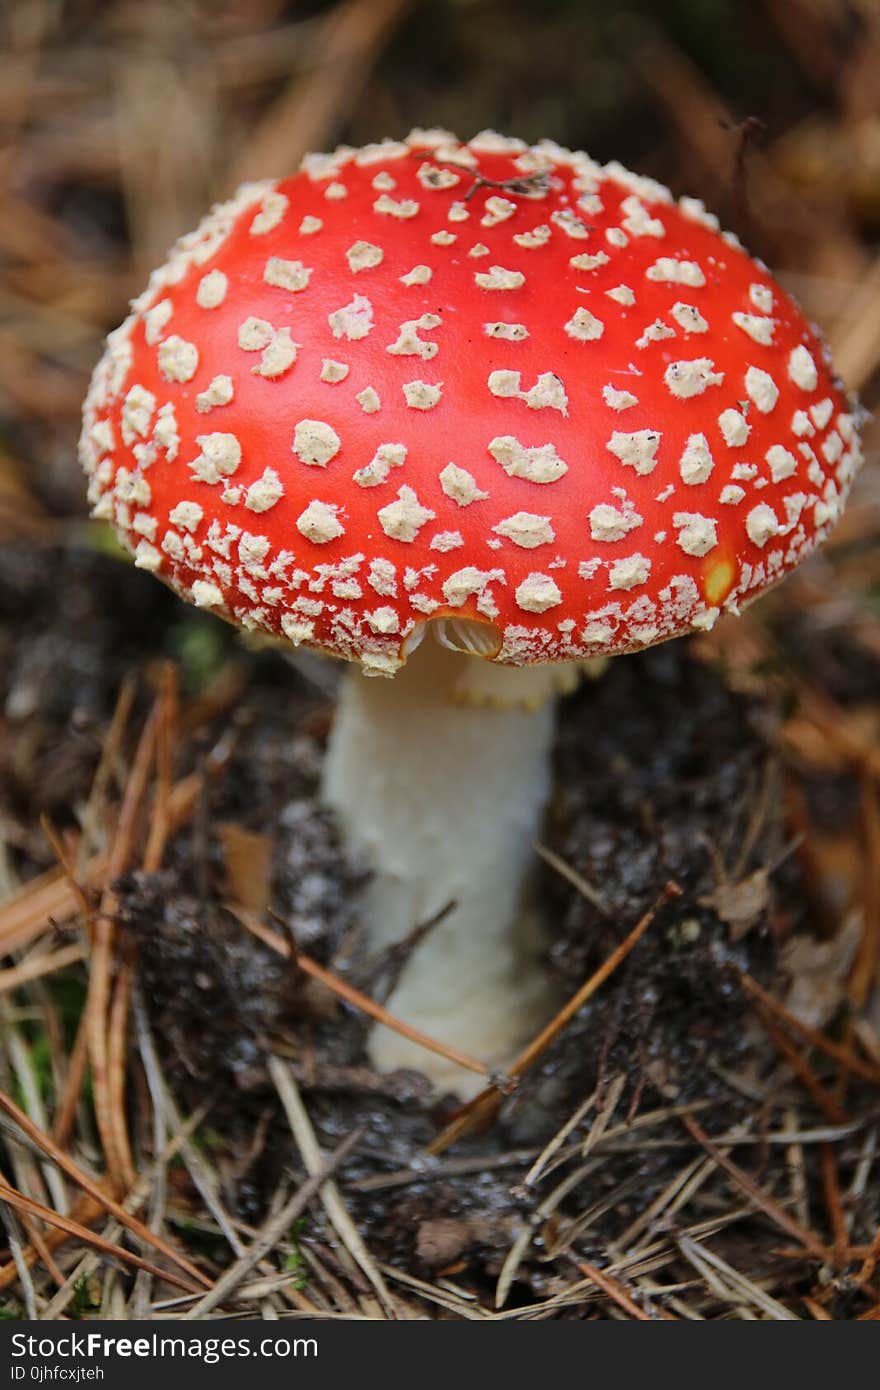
column 191, row 1125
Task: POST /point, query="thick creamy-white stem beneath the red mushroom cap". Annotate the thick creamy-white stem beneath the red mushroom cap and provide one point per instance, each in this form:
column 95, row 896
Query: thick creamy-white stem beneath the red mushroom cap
column 446, row 799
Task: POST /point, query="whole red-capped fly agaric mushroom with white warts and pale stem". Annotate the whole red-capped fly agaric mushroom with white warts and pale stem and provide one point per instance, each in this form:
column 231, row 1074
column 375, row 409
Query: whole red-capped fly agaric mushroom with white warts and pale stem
column 500, row 397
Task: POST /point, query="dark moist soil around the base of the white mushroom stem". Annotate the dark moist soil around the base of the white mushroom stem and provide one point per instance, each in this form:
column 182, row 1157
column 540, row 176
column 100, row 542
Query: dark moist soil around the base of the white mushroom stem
column 661, row 774
